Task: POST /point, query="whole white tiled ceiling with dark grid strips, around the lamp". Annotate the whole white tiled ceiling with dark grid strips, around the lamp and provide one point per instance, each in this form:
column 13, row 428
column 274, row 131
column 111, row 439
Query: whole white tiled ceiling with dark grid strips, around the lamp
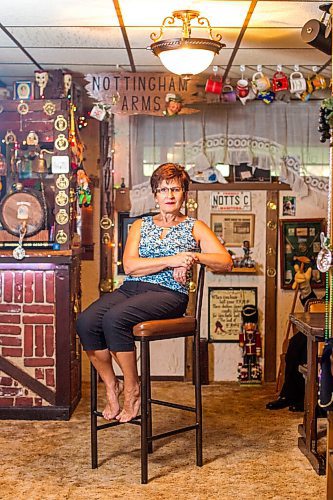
column 85, row 36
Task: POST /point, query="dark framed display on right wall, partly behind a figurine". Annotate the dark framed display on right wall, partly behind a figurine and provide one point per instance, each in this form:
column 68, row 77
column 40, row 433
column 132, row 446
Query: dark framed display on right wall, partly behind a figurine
column 300, row 241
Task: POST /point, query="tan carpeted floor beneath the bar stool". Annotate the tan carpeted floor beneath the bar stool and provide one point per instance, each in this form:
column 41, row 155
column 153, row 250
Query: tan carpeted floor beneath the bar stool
column 249, row 453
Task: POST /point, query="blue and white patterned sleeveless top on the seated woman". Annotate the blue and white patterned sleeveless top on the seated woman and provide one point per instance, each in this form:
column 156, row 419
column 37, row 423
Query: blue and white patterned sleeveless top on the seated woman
column 178, row 239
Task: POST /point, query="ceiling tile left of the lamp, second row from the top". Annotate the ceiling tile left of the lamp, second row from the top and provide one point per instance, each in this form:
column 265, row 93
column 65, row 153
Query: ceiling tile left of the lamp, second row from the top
column 94, row 36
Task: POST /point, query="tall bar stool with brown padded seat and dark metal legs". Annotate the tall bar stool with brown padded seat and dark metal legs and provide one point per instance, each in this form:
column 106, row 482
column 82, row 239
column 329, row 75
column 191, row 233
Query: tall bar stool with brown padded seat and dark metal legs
column 146, row 332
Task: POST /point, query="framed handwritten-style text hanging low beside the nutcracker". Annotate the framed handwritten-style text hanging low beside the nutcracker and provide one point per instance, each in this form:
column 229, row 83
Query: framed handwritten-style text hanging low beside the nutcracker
column 224, row 311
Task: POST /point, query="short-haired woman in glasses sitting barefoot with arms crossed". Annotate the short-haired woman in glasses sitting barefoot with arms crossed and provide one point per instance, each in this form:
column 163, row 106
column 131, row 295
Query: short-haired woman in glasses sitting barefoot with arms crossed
column 160, row 251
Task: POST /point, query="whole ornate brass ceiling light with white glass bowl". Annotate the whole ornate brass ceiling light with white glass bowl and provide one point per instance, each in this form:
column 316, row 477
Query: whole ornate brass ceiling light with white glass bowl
column 186, row 56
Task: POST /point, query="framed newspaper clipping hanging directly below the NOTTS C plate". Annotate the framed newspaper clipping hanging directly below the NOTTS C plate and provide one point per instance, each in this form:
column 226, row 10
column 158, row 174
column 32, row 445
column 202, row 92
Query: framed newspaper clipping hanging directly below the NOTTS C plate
column 233, row 229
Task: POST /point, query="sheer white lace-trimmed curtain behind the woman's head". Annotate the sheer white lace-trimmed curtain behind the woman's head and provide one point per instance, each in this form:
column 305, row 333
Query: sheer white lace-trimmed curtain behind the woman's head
column 280, row 136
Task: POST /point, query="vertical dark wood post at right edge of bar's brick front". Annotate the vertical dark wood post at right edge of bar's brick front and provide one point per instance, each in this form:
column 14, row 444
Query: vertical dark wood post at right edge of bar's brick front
column 62, row 333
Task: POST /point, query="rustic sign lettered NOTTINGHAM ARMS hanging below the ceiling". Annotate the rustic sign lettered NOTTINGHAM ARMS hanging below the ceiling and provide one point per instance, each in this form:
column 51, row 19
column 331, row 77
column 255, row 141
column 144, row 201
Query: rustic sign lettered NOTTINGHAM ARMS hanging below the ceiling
column 143, row 93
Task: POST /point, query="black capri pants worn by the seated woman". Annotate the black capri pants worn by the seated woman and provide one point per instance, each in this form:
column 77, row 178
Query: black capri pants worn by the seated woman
column 108, row 322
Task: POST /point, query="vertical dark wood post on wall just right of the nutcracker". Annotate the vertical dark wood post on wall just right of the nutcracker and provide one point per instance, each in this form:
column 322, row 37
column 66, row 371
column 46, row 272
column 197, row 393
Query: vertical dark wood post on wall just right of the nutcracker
column 272, row 215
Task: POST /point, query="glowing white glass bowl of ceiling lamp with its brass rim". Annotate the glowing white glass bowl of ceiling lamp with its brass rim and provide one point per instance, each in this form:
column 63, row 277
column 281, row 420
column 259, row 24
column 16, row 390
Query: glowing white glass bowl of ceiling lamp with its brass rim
column 188, row 56
